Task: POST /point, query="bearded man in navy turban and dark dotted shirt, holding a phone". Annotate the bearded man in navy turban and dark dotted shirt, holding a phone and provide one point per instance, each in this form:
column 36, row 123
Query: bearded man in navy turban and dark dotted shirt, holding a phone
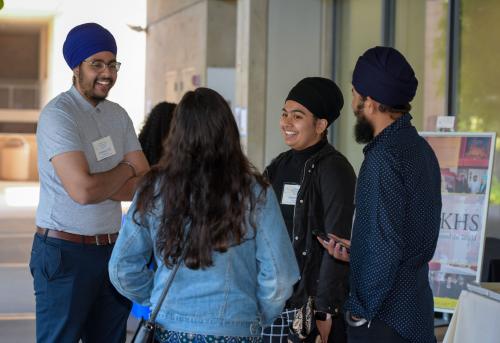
column 398, row 209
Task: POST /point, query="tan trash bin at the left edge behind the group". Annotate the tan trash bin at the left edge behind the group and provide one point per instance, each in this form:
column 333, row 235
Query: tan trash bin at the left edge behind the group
column 15, row 158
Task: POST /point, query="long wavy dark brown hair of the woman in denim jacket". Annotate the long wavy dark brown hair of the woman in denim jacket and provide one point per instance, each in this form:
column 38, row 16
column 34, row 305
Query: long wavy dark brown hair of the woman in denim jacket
column 203, row 182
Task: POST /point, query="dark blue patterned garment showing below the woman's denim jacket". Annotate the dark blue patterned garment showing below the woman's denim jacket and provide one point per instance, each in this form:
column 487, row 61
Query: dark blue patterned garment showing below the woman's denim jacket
column 165, row 336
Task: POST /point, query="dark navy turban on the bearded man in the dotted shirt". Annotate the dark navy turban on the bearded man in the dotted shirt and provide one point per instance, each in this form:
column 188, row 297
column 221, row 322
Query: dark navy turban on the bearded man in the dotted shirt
column 384, row 74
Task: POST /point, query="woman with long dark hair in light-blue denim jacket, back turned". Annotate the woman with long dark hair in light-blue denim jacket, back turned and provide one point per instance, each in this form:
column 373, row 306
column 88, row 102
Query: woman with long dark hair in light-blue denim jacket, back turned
column 205, row 195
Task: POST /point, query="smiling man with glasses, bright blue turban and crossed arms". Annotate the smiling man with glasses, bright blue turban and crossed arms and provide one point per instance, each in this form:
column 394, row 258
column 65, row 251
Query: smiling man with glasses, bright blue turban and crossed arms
column 89, row 160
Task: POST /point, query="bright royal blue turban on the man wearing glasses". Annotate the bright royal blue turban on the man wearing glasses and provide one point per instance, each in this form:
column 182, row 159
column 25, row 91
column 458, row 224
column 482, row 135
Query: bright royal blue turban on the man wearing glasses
column 85, row 40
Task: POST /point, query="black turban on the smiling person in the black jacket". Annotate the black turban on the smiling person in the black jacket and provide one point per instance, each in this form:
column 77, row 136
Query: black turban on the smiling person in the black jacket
column 320, row 96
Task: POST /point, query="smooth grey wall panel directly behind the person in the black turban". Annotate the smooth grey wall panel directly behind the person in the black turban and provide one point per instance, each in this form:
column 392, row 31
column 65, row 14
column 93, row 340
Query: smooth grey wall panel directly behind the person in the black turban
column 294, row 52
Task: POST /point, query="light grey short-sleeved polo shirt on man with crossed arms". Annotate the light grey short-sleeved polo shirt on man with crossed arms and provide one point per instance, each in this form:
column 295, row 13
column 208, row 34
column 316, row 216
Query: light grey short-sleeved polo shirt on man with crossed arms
column 70, row 123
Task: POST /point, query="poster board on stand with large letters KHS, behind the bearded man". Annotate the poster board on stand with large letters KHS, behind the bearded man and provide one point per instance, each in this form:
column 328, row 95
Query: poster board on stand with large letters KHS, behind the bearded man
column 466, row 163
